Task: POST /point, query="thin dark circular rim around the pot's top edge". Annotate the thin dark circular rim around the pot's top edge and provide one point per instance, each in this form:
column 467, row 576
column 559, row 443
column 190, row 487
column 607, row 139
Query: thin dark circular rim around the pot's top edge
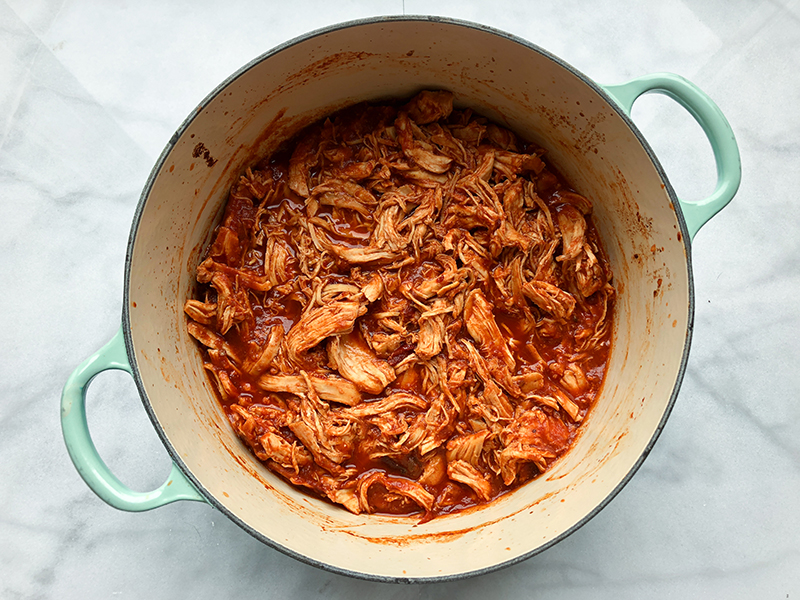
column 126, row 313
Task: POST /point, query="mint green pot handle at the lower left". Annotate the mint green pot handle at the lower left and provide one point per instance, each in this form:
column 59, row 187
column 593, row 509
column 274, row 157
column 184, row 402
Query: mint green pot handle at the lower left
column 82, row 450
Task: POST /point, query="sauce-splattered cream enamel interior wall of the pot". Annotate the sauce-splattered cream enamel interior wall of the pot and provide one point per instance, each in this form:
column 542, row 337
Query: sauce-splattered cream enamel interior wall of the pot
column 519, row 87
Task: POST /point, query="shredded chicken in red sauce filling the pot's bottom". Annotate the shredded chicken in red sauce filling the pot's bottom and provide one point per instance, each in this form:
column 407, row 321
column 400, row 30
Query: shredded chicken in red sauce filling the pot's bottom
column 407, row 310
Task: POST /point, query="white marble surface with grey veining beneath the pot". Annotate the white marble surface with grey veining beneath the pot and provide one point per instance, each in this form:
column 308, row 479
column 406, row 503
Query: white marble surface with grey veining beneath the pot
column 90, row 92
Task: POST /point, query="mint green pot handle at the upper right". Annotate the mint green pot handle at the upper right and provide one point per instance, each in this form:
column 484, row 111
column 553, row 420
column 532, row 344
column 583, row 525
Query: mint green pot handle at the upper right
column 715, row 126
